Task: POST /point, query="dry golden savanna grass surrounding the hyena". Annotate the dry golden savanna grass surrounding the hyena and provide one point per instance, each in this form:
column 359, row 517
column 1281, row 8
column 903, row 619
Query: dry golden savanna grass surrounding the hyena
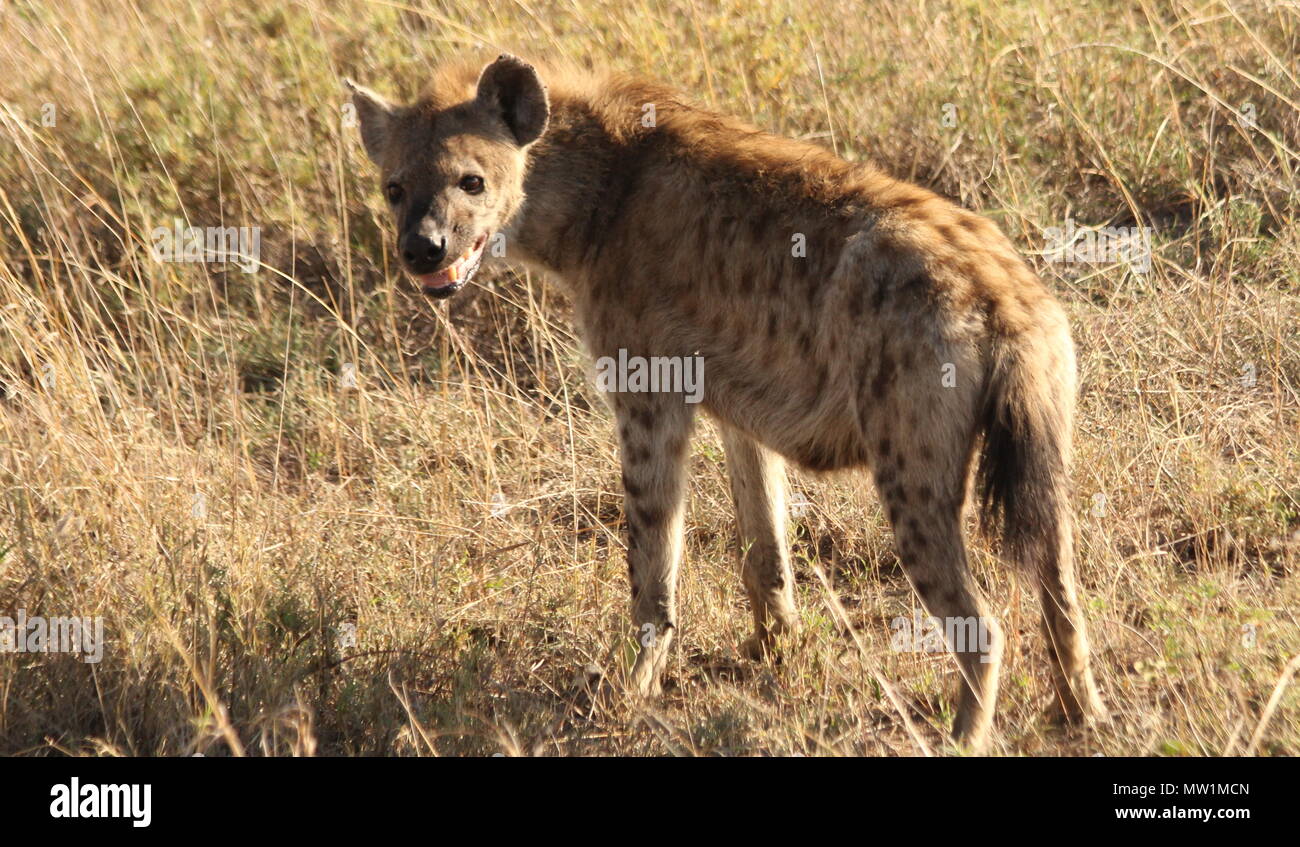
column 239, row 471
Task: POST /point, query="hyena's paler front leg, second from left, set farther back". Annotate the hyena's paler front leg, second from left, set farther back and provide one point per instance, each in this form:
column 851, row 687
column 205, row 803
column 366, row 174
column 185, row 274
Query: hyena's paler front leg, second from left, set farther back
column 759, row 488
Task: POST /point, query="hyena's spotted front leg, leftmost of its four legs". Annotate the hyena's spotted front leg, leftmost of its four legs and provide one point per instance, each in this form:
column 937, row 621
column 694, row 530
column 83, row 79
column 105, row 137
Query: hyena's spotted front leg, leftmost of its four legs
column 655, row 433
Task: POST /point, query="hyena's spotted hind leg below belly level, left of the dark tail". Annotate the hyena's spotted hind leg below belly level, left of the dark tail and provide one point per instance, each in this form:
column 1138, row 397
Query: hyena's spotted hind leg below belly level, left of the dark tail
column 928, row 527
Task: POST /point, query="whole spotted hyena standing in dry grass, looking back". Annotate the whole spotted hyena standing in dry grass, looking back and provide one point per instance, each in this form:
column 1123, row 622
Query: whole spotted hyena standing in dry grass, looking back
column 846, row 319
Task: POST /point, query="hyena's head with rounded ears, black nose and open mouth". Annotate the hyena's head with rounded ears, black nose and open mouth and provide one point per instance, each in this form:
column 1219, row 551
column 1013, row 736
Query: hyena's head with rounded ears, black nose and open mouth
column 453, row 167
